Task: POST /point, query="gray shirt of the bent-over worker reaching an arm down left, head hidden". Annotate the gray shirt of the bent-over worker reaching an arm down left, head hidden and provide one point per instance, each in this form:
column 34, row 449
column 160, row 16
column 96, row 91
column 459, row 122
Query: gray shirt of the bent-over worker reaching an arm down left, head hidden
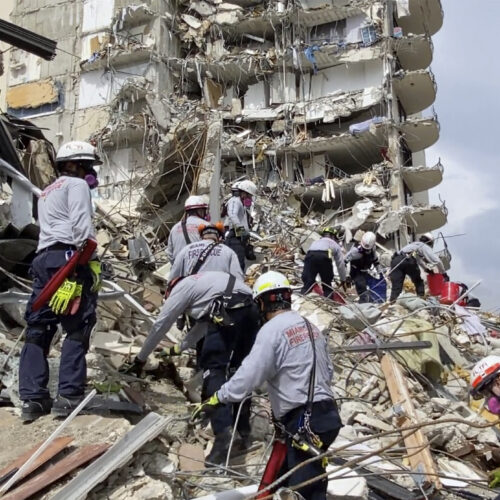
column 193, row 295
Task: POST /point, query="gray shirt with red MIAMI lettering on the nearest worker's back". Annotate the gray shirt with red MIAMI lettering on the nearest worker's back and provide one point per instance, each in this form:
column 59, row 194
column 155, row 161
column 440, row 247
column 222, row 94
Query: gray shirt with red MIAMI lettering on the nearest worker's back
column 282, row 356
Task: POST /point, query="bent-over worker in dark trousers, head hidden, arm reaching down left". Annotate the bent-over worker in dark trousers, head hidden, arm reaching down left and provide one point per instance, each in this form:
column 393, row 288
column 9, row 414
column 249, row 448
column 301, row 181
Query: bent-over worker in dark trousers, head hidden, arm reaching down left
column 228, row 319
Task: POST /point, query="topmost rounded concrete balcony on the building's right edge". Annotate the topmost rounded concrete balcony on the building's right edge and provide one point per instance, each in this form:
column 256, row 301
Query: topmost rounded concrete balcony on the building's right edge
column 422, row 17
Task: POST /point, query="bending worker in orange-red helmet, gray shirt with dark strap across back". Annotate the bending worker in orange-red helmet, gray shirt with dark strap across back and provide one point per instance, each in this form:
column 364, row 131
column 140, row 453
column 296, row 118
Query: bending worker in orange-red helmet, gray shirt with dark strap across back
column 209, row 254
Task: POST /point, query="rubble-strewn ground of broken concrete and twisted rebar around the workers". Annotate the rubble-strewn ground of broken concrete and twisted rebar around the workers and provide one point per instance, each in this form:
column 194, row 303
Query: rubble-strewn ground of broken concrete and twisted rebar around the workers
column 450, row 442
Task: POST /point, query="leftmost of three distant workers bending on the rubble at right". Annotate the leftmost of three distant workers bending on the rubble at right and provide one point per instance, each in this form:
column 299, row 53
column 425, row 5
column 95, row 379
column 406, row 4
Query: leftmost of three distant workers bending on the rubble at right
column 319, row 261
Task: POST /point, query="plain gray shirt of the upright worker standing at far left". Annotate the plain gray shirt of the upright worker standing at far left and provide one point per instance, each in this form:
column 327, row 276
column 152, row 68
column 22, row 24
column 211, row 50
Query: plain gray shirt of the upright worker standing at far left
column 65, row 213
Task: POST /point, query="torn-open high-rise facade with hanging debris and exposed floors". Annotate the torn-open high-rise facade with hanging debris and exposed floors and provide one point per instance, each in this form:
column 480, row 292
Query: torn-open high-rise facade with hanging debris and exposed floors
column 331, row 96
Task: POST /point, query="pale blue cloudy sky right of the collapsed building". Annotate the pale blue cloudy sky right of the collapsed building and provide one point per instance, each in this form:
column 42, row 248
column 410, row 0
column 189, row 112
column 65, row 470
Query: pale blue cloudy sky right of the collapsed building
column 466, row 65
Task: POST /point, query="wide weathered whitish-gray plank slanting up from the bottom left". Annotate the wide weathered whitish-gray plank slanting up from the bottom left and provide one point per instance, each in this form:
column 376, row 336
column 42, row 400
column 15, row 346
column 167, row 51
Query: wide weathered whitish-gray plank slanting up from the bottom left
column 148, row 428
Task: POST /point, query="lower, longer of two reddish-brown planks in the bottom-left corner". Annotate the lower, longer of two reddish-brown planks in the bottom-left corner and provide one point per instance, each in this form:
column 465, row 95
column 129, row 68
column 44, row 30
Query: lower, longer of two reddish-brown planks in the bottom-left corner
column 68, row 464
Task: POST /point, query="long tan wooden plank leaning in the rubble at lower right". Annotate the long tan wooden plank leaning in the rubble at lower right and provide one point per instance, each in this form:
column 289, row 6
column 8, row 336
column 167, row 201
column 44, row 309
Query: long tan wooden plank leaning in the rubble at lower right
column 421, row 461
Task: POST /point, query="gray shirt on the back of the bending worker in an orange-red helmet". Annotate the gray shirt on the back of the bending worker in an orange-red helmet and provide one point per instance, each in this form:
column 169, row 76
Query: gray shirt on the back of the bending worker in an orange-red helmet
column 220, row 258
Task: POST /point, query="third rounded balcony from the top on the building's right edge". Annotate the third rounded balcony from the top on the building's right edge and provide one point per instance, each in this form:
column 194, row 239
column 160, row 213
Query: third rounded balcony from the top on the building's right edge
column 416, row 90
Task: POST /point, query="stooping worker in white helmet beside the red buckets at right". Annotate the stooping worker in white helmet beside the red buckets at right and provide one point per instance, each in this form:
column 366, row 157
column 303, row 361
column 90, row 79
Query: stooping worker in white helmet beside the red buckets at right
column 407, row 262
